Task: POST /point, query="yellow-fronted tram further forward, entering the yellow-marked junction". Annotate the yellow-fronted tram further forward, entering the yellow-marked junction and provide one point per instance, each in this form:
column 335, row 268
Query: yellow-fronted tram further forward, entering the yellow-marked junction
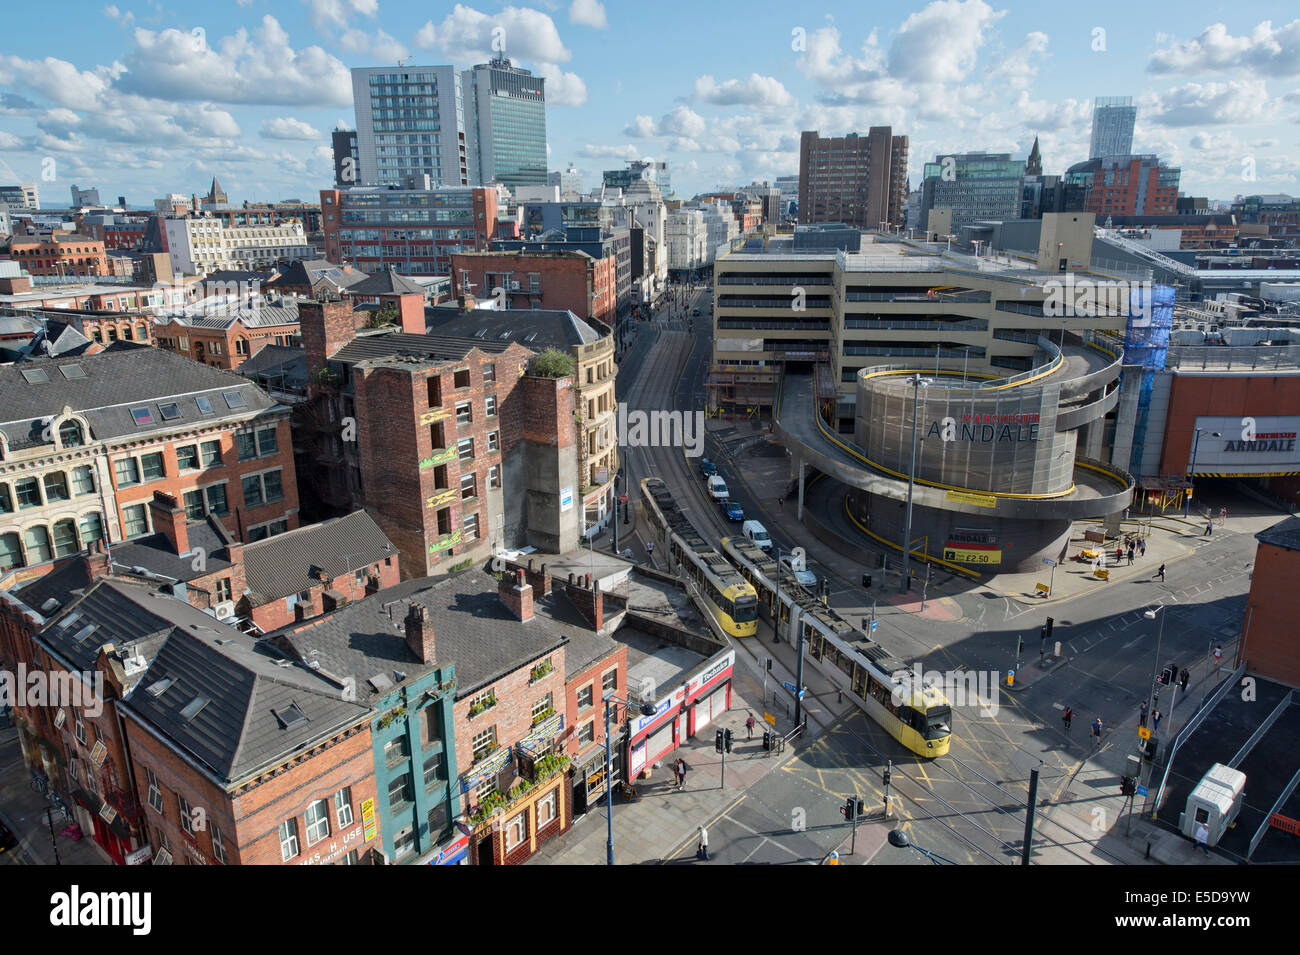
column 915, row 714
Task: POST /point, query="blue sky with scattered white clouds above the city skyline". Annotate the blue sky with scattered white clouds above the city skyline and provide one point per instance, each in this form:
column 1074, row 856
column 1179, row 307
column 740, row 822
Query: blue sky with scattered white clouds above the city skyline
column 148, row 98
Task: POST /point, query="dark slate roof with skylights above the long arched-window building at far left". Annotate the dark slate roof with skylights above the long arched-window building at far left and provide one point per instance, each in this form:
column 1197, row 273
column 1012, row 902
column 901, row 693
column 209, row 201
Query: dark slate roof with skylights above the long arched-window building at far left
column 109, row 385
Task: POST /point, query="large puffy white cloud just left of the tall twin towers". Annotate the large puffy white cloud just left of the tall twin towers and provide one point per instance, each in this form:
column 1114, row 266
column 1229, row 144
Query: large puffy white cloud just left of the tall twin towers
column 261, row 68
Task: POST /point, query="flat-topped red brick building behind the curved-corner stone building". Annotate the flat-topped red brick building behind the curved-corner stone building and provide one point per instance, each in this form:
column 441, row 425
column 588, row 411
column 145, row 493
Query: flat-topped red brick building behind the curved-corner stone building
column 552, row 281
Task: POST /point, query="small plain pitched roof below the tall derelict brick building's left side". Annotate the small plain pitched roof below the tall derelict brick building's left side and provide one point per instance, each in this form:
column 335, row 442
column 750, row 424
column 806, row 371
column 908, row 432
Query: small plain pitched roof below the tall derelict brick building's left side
column 281, row 566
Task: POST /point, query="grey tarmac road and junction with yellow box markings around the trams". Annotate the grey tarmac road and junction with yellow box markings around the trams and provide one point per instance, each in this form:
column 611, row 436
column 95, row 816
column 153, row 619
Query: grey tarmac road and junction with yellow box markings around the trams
column 970, row 805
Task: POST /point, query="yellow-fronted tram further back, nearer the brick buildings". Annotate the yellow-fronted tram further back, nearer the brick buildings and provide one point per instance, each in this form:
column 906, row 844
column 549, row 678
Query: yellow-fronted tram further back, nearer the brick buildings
column 733, row 598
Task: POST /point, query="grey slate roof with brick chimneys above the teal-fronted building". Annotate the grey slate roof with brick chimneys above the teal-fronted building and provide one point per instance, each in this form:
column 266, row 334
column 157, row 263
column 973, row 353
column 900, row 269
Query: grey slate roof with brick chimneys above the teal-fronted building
column 473, row 630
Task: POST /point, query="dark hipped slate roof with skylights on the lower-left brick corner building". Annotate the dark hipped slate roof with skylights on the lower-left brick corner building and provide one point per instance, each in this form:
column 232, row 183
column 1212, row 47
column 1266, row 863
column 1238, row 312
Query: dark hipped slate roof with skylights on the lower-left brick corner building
column 248, row 726
